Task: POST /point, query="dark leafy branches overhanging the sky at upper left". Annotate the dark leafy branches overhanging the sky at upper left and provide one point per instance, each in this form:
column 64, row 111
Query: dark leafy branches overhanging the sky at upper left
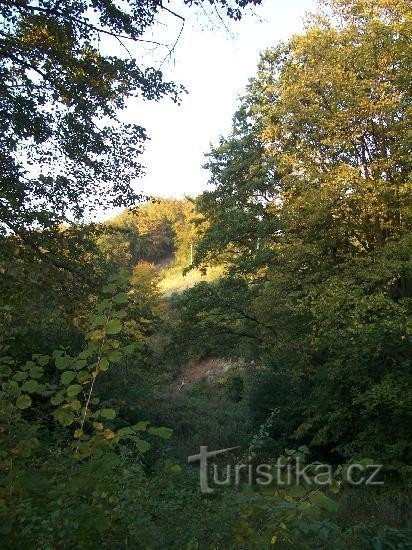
column 63, row 146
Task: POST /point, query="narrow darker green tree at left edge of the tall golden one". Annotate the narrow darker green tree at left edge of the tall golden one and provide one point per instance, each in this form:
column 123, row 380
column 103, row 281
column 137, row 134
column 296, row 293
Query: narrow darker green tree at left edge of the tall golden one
column 238, row 211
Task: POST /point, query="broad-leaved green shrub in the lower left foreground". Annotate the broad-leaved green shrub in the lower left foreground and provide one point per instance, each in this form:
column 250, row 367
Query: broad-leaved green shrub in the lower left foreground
column 63, row 387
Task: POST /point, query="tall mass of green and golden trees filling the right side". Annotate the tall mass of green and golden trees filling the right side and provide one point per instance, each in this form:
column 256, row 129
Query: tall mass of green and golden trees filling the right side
column 329, row 114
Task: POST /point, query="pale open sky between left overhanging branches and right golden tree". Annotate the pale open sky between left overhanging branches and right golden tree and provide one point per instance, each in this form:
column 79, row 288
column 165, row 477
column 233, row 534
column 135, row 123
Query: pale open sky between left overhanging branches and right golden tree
column 214, row 62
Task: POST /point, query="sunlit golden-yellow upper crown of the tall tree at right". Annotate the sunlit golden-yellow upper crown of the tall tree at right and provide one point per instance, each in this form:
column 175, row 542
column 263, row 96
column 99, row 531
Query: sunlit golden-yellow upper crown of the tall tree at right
column 335, row 107
